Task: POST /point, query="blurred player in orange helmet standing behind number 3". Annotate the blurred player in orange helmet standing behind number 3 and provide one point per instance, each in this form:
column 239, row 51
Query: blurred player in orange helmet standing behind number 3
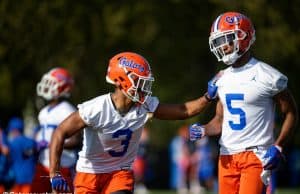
column 55, row 87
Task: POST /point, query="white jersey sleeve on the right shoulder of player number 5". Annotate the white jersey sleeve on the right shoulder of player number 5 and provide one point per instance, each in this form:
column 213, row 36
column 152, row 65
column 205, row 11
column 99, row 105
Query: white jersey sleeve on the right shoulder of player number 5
column 275, row 81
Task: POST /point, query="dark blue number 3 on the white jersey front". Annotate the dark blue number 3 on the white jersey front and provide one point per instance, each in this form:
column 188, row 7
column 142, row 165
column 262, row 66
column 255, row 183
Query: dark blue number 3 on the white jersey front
column 125, row 142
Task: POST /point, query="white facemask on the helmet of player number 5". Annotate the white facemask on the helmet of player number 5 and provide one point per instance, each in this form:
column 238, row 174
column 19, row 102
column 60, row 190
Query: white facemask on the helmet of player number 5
column 218, row 40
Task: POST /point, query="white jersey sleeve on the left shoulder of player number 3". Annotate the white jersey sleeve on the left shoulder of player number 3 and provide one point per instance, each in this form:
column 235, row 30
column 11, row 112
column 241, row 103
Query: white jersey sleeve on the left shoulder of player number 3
column 89, row 112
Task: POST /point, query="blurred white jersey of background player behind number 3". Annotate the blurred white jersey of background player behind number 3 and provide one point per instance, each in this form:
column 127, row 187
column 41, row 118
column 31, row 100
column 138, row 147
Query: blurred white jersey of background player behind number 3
column 49, row 118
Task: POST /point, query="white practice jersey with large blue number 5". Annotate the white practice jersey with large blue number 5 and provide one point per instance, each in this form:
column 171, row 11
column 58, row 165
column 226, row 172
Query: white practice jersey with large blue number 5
column 247, row 94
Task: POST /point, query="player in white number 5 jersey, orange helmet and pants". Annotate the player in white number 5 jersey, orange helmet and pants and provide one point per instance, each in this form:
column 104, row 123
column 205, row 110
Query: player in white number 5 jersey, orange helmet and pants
column 248, row 91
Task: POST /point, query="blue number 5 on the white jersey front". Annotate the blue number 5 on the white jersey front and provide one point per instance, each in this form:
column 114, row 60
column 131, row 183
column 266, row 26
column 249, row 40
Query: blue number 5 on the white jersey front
column 236, row 111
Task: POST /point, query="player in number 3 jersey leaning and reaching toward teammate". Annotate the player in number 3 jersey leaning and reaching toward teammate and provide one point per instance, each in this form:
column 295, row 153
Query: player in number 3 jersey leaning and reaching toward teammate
column 112, row 125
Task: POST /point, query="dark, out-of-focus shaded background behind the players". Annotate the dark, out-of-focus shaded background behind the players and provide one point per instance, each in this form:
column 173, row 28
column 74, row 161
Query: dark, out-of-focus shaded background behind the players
column 36, row 35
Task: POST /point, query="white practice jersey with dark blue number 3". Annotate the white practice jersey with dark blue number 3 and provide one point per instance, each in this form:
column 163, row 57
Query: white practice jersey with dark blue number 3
column 110, row 142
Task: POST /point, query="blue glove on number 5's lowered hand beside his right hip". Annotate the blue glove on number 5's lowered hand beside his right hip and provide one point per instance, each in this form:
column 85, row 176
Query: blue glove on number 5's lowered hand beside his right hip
column 272, row 158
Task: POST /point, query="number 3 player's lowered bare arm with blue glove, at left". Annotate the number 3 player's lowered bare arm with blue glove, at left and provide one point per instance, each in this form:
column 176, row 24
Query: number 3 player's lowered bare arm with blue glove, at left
column 70, row 126
